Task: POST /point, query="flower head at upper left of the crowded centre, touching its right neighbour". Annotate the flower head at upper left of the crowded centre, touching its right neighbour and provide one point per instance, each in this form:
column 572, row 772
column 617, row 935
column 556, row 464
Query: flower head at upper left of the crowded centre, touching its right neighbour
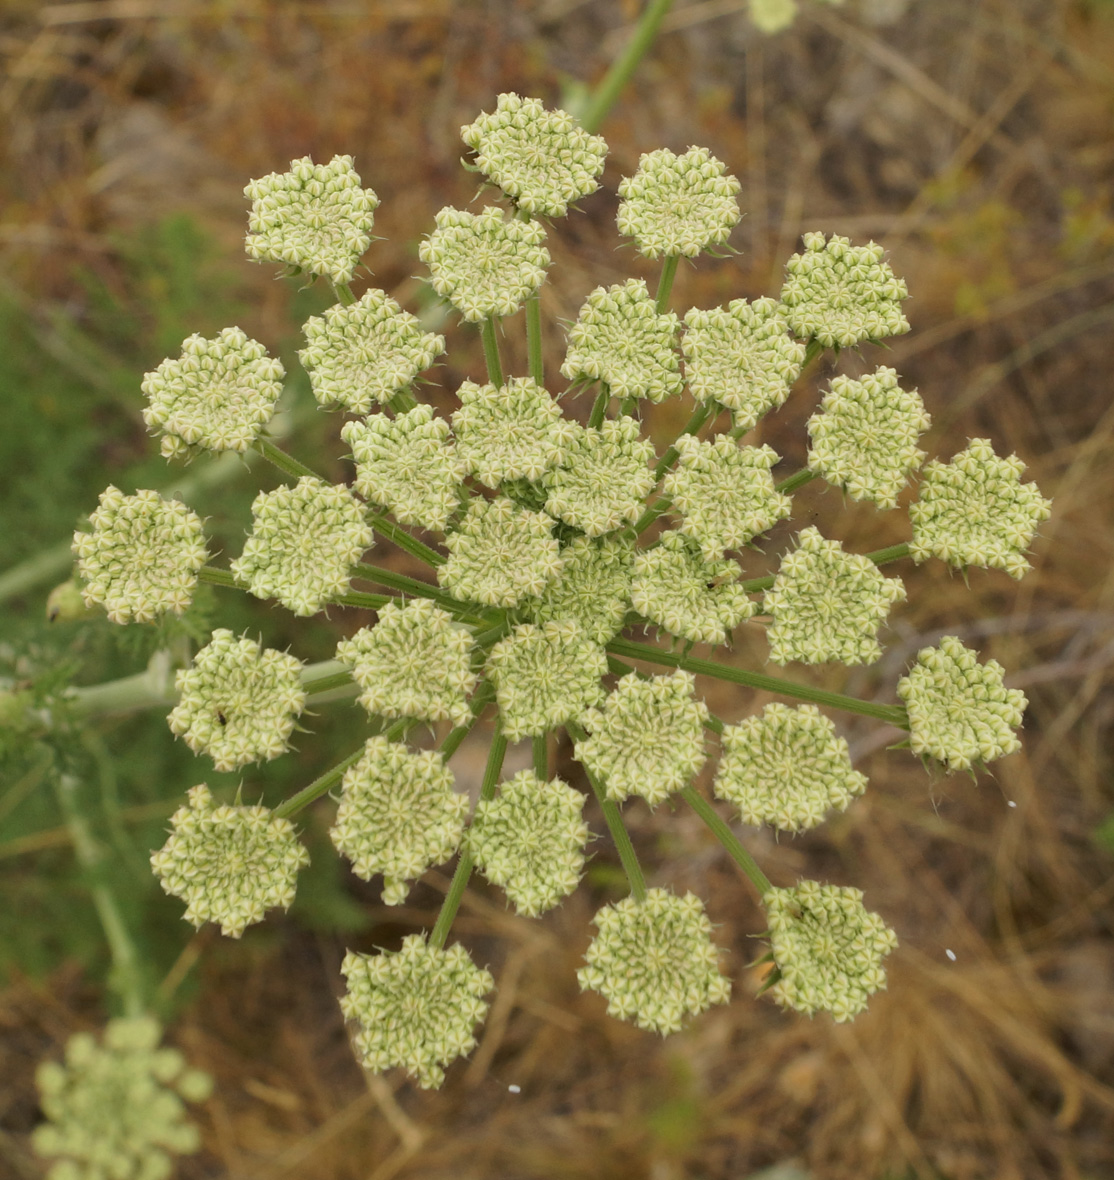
column 409, row 466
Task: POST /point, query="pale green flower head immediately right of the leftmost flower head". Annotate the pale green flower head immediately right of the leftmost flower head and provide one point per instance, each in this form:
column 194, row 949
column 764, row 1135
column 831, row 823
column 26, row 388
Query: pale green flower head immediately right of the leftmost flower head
column 304, row 543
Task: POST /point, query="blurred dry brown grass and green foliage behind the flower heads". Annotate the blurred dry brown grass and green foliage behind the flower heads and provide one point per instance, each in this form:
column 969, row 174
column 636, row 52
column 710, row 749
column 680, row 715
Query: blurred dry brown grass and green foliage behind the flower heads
column 971, row 137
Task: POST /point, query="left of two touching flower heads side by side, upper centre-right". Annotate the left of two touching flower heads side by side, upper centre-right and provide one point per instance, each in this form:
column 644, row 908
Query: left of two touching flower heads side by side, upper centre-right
column 621, row 339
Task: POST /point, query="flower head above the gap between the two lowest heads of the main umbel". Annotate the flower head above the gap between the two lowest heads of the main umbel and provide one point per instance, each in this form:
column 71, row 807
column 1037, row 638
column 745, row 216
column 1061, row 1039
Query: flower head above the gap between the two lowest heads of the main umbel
column 530, row 841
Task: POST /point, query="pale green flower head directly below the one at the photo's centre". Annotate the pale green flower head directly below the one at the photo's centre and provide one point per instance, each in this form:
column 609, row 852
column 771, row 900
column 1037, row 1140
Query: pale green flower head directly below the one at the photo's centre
column 546, row 676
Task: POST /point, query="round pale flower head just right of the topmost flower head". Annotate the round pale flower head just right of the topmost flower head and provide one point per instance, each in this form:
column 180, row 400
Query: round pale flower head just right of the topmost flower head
column 678, row 205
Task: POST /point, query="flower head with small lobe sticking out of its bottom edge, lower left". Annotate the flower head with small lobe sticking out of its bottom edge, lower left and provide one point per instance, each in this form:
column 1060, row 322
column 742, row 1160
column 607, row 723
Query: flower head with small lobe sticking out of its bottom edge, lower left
column 398, row 816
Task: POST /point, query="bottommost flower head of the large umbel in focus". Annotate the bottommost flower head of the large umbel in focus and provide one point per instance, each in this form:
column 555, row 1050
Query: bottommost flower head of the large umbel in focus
column 416, row 1007
